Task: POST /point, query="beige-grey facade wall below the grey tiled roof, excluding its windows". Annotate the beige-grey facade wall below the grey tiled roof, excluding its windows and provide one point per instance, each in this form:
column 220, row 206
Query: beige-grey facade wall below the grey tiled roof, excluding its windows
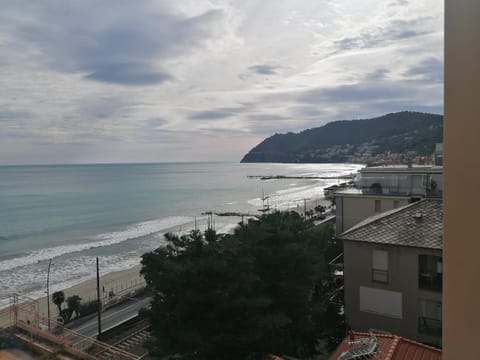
column 403, row 278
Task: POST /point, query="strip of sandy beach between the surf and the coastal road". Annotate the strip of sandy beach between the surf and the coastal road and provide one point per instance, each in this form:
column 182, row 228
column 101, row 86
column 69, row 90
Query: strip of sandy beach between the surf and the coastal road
column 112, row 286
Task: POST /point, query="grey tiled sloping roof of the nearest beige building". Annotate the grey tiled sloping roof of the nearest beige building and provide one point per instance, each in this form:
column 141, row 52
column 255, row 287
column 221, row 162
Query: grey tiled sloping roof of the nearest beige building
column 418, row 225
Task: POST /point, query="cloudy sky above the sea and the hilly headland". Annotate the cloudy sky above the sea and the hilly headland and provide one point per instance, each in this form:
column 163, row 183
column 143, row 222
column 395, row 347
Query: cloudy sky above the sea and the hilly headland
column 95, row 81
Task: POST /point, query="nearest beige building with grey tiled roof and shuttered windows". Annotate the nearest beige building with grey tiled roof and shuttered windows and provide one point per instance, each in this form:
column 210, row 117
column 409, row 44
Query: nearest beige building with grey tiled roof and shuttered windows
column 393, row 272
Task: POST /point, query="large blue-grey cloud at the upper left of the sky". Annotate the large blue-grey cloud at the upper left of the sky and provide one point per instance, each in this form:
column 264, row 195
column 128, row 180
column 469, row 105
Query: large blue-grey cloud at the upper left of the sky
column 113, row 41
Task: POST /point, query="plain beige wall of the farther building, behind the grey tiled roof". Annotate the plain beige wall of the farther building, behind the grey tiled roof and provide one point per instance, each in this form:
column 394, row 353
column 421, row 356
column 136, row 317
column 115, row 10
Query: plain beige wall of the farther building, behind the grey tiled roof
column 352, row 209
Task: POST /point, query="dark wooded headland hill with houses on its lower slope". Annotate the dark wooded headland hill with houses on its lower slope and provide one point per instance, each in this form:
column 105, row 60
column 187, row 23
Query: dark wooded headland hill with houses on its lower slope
column 397, row 134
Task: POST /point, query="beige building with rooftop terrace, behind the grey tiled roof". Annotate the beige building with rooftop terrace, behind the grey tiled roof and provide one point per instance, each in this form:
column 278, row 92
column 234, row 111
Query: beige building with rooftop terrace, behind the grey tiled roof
column 383, row 188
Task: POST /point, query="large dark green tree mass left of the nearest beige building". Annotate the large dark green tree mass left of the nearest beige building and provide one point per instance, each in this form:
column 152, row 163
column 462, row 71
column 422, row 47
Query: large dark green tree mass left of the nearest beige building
column 241, row 296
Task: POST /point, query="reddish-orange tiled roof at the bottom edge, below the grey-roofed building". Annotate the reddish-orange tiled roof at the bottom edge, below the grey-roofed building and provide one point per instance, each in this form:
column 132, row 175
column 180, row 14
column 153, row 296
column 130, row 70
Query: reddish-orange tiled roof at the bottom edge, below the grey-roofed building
column 390, row 347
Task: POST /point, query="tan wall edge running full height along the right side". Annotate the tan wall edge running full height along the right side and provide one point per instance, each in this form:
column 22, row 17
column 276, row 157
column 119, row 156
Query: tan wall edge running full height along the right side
column 462, row 173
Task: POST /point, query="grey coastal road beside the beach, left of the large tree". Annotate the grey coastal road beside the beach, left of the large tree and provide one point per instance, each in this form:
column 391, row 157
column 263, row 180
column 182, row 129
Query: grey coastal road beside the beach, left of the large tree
column 112, row 317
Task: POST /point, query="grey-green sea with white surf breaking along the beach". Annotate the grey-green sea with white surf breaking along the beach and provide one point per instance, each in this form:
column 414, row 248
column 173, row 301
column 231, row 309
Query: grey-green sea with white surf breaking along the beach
column 117, row 212
